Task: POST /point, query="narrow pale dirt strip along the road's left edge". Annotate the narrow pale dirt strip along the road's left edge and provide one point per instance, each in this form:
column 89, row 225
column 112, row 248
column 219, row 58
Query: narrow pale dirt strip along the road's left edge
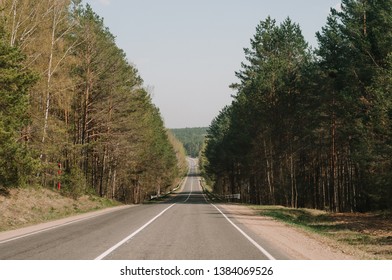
column 25, row 231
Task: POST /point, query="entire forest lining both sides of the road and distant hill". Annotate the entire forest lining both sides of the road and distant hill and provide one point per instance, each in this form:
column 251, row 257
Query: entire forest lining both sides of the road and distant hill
column 309, row 126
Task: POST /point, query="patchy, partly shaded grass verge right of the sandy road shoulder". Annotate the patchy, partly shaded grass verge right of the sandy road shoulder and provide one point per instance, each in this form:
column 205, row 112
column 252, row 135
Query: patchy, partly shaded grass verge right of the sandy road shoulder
column 370, row 233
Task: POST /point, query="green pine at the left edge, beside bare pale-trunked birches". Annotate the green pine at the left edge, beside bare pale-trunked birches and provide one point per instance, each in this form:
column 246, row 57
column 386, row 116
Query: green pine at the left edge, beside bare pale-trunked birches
column 16, row 162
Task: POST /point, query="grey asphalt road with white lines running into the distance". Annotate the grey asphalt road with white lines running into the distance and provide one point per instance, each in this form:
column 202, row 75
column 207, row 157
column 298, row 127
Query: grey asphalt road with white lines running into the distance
column 185, row 227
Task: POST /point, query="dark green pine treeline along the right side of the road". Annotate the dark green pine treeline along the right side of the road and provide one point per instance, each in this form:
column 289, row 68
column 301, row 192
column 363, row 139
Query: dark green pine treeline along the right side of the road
column 311, row 128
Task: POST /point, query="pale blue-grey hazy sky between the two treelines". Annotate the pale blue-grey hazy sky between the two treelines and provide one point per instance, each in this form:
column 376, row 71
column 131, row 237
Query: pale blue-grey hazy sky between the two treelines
column 187, row 52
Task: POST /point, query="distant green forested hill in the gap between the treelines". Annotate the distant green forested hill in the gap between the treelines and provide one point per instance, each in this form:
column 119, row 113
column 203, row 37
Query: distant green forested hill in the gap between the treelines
column 191, row 138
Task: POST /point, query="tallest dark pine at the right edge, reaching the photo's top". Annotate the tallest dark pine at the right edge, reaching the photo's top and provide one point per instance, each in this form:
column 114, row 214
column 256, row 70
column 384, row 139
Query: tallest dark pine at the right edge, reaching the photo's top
column 353, row 52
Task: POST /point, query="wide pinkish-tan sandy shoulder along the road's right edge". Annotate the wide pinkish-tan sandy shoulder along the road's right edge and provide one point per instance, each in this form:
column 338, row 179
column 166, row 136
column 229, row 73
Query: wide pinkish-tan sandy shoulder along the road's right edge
column 294, row 242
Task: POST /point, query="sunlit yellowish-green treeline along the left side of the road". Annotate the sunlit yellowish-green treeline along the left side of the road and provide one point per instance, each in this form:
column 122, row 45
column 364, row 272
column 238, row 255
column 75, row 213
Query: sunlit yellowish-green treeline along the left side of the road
column 73, row 110
